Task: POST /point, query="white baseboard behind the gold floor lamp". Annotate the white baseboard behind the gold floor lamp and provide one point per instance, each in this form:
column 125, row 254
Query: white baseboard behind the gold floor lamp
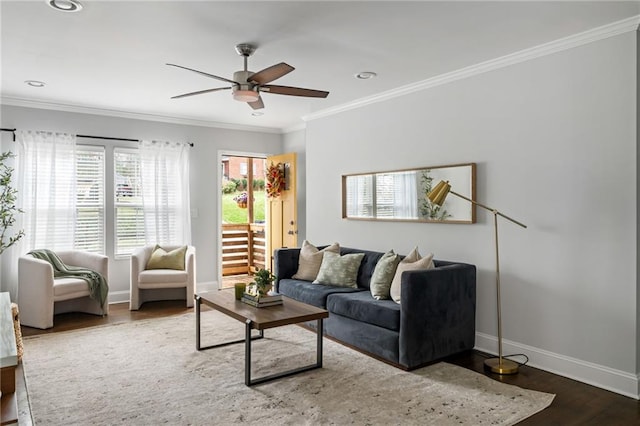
column 613, row 380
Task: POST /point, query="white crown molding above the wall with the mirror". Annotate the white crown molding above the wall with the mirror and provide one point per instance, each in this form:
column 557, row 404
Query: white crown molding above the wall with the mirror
column 559, row 45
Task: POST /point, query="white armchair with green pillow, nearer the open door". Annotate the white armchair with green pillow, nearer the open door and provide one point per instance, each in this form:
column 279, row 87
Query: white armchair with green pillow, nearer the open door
column 161, row 284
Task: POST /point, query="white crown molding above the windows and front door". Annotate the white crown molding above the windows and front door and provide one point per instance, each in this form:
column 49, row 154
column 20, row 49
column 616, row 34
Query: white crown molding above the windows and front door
column 30, row 103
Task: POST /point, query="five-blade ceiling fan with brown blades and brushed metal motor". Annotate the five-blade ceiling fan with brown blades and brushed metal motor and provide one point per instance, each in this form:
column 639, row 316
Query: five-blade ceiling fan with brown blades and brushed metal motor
column 246, row 86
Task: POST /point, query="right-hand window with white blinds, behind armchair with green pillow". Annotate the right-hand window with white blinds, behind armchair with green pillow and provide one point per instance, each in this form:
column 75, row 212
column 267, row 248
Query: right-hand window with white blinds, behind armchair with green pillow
column 129, row 215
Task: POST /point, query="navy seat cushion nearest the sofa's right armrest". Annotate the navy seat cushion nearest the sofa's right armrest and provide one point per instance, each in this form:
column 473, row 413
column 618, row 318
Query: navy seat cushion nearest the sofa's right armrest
column 363, row 307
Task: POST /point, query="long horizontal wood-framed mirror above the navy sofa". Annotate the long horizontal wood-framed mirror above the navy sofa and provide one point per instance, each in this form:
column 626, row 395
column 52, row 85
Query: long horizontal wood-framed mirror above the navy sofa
column 401, row 195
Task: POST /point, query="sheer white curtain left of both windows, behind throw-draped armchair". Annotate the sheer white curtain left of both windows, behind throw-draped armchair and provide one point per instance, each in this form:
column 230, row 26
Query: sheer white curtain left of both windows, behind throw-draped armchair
column 44, row 175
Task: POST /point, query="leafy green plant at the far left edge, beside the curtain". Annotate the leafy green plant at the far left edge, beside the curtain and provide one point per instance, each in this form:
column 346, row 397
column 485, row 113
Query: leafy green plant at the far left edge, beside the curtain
column 8, row 208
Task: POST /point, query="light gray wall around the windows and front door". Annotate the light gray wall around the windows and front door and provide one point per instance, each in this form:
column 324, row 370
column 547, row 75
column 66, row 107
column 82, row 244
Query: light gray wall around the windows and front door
column 204, row 172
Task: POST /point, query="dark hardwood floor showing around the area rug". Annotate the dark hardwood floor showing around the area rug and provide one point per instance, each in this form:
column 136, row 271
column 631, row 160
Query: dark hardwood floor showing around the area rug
column 575, row 403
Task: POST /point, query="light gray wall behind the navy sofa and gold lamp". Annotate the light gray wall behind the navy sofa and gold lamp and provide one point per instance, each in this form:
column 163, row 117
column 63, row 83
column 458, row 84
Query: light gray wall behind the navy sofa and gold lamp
column 555, row 142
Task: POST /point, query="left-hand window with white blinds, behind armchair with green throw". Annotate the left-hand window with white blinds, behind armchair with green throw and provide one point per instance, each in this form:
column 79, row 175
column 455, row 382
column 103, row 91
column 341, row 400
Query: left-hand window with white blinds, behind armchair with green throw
column 90, row 207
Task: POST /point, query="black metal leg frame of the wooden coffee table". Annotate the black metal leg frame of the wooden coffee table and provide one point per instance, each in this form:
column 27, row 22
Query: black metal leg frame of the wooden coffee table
column 248, row 338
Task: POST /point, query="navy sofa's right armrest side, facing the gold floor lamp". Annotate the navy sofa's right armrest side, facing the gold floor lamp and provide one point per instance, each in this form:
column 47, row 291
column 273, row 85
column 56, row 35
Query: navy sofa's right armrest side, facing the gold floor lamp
column 437, row 313
